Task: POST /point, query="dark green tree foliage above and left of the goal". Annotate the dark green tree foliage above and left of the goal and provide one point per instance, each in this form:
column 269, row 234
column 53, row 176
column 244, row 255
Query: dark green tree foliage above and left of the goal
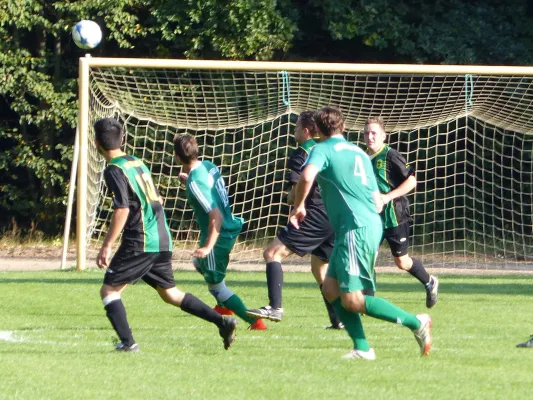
column 38, row 61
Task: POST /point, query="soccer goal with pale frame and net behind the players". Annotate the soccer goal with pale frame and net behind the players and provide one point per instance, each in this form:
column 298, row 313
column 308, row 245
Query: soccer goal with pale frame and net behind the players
column 467, row 130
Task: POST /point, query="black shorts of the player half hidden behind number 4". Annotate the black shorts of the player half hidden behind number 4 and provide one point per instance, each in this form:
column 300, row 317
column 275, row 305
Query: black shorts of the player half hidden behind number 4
column 315, row 236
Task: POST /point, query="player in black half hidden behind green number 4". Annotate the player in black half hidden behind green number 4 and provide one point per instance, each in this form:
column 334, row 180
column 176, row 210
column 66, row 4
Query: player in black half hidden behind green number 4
column 315, row 236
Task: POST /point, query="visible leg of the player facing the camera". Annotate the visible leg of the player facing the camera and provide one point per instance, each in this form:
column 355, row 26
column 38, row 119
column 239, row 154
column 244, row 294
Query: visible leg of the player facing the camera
column 398, row 239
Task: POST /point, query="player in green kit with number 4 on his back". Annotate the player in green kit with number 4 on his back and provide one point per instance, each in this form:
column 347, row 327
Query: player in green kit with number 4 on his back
column 350, row 193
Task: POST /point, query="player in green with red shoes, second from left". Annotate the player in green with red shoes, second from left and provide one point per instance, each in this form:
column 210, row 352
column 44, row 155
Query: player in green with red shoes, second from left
column 207, row 195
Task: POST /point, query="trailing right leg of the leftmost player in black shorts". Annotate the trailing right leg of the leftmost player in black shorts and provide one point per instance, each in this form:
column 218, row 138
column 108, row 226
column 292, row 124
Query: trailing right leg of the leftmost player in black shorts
column 161, row 278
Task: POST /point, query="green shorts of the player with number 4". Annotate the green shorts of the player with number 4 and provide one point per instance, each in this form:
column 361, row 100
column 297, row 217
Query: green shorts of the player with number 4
column 353, row 258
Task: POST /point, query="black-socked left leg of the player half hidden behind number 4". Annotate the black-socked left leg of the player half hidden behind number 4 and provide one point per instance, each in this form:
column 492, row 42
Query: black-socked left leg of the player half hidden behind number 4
column 274, row 254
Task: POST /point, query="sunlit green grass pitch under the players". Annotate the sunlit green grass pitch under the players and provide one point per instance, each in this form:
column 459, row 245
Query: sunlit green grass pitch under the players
column 64, row 347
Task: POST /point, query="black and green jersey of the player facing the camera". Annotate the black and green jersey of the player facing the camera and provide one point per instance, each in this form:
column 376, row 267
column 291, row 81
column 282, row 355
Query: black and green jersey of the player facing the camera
column 391, row 170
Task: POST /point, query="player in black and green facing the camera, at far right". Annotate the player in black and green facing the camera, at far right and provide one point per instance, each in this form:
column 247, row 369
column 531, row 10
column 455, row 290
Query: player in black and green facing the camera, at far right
column 395, row 179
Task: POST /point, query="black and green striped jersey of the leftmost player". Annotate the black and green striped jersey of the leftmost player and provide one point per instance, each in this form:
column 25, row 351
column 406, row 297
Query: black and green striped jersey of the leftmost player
column 131, row 185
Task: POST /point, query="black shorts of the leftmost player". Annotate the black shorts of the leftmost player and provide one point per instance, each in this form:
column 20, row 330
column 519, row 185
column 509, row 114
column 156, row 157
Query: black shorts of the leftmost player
column 128, row 266
